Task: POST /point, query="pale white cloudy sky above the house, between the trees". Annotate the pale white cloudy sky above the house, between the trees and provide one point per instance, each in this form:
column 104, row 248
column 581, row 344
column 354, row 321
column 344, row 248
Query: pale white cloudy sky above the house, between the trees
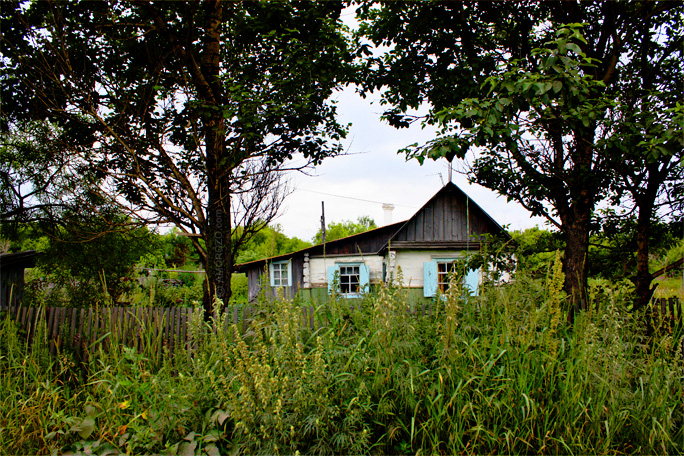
column 372, row 173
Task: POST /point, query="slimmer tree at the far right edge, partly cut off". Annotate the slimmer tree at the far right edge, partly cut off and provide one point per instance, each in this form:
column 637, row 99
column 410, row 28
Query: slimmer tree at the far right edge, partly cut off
column 648, row 143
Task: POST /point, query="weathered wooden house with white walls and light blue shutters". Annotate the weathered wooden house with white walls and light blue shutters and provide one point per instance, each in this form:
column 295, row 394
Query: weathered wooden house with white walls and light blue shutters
column 449, row 226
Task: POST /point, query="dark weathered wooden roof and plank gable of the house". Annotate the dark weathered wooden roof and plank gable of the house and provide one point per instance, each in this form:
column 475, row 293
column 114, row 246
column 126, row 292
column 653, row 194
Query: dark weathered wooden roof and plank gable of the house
column 450, row 219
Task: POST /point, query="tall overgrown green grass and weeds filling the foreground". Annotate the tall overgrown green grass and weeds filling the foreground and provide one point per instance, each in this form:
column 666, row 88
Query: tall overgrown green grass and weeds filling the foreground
column 501, row 373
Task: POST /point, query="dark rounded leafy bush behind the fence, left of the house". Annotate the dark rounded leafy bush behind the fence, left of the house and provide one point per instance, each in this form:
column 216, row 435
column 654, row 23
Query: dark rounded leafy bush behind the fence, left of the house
column 86, row 258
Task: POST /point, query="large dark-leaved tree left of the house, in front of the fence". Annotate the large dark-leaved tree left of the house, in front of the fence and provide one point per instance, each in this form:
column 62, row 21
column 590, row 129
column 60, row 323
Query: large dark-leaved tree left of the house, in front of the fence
column 186, row 110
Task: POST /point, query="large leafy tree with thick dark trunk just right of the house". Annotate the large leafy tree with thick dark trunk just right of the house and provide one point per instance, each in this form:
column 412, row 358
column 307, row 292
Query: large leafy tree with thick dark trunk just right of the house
column 538, row 103
